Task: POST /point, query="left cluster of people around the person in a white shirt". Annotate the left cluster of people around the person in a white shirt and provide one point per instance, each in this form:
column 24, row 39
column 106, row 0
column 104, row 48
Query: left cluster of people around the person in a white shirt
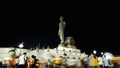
column 22, row 61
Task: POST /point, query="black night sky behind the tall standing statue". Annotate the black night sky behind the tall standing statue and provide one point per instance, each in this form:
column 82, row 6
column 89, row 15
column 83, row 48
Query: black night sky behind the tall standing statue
column 93, row 26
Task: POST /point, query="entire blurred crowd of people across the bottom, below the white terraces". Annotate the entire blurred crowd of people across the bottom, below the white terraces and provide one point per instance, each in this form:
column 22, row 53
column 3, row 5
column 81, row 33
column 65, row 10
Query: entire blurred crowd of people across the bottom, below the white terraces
column 91, row 61
